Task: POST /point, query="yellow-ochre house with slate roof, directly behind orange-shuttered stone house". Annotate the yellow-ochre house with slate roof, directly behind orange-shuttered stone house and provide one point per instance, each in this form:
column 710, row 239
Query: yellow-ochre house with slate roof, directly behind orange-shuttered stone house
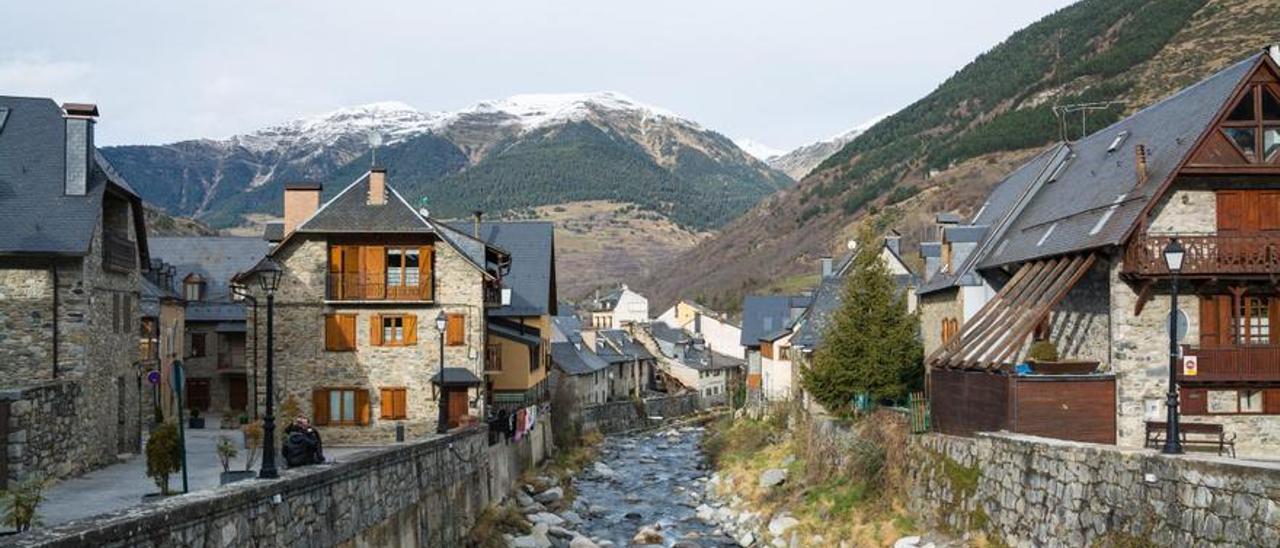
column 518, row 353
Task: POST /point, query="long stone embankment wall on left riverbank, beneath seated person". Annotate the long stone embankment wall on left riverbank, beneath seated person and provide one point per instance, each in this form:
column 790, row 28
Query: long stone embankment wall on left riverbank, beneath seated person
column 419, row 495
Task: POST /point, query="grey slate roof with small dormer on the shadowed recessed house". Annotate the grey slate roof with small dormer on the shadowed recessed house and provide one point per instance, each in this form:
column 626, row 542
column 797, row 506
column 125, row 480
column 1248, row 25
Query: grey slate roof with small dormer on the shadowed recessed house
column 216, row 259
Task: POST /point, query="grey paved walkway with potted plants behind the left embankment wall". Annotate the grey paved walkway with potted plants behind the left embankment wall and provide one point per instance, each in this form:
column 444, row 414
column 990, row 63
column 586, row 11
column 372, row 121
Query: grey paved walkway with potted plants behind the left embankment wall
column 124, row 485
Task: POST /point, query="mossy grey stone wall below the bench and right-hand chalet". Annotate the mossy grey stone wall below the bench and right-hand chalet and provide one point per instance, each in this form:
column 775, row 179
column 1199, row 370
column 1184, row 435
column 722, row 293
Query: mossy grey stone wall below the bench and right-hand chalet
column 1039, row 492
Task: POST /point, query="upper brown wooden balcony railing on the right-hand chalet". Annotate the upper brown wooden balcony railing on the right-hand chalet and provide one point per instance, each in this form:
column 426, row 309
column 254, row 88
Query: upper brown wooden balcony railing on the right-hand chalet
column 1208, row 255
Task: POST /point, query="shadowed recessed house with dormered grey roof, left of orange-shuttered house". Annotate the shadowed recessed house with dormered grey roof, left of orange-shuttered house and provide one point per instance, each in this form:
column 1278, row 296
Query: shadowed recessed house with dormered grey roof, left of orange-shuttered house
column 218, row 371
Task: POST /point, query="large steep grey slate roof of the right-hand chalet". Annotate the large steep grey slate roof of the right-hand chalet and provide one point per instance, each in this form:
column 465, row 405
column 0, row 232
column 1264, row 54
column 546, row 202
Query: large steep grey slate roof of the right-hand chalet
column 1095, row 200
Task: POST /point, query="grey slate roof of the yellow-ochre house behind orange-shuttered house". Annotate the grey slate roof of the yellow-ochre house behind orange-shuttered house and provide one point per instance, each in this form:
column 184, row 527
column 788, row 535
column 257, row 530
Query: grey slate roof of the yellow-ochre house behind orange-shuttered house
column 532, row 278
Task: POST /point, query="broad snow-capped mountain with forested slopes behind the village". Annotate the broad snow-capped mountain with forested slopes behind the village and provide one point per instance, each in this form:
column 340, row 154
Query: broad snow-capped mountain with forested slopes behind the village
column 522, row 152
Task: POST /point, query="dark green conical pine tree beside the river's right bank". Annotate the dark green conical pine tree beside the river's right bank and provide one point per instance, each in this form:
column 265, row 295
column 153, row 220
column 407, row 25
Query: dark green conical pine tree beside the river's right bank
column 871, row 342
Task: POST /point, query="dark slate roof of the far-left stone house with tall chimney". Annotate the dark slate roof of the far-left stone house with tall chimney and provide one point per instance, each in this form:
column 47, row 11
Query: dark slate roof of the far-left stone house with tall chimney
column 39, row 218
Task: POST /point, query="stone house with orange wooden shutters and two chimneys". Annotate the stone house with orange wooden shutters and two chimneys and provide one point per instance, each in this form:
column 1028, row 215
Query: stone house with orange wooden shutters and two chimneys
column 381, row 314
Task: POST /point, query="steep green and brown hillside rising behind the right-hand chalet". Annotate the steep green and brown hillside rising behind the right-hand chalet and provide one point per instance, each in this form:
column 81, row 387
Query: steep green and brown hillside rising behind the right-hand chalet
column 947, row 150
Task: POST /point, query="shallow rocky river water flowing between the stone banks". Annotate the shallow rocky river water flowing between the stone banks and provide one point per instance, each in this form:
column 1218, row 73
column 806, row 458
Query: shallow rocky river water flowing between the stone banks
column 651, row 479
